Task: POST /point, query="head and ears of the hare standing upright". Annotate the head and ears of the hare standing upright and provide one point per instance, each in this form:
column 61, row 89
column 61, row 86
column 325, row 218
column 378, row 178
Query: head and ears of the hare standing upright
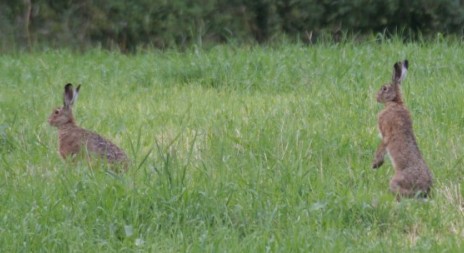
column 391, row 92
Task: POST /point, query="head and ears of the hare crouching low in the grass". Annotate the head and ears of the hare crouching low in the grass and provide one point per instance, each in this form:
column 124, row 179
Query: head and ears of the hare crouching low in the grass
column 63, row 115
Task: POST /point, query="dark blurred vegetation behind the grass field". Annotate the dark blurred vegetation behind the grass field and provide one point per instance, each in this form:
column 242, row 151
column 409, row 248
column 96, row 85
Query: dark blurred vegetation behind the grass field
column 126, row 25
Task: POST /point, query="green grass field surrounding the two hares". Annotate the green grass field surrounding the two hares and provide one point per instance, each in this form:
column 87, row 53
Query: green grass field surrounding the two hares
column 233, row 149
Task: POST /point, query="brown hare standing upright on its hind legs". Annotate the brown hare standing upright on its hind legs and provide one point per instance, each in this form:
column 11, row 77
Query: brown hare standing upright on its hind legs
column 412, row 176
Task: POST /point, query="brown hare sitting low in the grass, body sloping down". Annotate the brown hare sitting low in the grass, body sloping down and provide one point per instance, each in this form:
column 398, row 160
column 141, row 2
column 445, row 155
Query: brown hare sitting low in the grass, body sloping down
column 74, row 139
